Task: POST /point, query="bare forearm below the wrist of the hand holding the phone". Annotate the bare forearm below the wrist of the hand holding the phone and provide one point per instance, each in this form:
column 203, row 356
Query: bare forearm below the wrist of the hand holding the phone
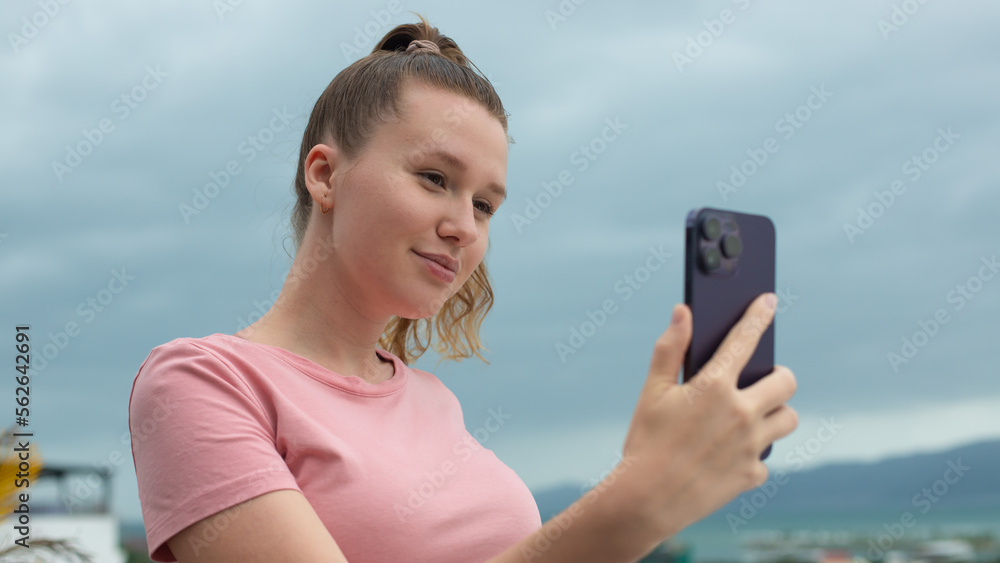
column 601, row 526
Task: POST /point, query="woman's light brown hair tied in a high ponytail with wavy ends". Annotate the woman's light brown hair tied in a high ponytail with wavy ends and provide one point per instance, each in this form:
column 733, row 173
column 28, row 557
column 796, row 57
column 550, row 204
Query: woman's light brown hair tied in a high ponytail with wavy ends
column 358, row 100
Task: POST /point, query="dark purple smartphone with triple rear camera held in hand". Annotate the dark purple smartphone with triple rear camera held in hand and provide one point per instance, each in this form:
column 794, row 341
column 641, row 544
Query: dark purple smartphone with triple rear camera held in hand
column 728, row 262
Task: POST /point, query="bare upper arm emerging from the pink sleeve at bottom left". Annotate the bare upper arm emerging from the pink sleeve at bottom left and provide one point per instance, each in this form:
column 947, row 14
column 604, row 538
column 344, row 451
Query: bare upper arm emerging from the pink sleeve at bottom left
column 276, row 526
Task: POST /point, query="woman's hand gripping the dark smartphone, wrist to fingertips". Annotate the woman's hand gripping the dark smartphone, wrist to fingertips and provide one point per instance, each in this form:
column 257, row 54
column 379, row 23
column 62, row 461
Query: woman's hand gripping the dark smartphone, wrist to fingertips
column 692, row 448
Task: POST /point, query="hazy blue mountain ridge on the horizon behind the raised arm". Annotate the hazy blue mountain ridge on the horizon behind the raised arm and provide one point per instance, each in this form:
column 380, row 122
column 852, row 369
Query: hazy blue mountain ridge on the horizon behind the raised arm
column 891, row 483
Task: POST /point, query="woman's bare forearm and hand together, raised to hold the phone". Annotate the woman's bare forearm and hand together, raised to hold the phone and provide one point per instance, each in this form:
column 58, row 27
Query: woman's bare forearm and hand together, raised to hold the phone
column 690, row 449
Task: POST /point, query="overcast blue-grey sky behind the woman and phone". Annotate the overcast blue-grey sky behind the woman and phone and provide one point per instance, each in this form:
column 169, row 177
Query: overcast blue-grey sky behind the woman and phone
column 878, row 122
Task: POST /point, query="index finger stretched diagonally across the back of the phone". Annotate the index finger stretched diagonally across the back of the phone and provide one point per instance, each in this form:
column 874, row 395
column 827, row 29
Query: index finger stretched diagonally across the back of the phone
column 739, row 345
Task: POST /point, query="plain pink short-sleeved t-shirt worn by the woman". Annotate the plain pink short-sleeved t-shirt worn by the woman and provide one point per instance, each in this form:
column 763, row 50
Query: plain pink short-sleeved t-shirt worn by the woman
column 389, row 468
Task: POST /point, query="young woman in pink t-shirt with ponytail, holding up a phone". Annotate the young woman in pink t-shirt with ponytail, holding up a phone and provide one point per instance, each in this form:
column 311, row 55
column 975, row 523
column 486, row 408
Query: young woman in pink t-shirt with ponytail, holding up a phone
column 307, row 437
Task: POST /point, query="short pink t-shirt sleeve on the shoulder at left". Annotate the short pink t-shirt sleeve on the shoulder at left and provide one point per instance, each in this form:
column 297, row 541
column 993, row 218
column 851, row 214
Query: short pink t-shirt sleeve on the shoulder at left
column 202, row 441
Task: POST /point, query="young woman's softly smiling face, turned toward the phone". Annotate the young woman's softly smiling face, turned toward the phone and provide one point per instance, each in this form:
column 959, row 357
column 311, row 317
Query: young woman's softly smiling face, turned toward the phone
column 403, row 197
